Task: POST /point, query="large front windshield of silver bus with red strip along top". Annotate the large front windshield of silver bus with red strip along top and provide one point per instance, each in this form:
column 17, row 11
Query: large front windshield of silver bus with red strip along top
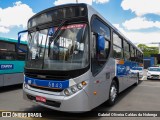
column 68, row 50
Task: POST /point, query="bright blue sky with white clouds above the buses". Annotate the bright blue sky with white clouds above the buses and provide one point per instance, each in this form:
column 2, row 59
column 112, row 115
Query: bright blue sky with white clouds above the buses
column 138, row 20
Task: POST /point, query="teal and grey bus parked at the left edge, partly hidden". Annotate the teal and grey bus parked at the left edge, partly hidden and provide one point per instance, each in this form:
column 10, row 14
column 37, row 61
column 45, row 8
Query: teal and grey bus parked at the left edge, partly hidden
column 11, row 62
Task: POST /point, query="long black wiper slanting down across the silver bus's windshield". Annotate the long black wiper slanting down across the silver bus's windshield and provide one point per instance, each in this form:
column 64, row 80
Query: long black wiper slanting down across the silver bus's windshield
column 55, row 35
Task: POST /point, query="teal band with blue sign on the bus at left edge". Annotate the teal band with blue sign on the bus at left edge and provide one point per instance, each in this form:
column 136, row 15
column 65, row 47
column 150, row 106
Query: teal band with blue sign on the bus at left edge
column 9, row 67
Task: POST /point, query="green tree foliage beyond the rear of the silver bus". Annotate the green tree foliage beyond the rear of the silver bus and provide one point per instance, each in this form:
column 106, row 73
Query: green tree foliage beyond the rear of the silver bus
column 147, row 51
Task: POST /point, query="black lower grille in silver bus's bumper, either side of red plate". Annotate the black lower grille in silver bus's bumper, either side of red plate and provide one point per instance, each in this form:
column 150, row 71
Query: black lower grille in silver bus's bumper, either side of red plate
column 48, row 102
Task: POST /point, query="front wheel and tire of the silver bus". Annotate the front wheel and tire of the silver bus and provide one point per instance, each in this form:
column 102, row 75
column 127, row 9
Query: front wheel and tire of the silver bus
column 113, row 93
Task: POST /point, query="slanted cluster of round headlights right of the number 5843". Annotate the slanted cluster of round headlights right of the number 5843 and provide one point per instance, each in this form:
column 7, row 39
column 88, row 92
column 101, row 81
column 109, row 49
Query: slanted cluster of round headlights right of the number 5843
column 75, row 88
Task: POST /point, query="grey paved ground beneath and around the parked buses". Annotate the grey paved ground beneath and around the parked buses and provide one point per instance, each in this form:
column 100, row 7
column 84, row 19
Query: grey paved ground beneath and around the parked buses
column 144, row 97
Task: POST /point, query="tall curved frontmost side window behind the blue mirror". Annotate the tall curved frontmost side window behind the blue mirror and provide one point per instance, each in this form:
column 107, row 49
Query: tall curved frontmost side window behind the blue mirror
column 101, row 36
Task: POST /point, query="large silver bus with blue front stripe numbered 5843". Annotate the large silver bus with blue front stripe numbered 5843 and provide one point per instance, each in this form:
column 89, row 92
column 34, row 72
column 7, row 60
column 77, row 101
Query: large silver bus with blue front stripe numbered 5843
column 76, row 60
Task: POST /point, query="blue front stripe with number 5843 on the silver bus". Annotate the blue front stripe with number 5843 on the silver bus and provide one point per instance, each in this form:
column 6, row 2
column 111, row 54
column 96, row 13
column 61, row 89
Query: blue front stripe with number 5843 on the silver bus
column 53, row 84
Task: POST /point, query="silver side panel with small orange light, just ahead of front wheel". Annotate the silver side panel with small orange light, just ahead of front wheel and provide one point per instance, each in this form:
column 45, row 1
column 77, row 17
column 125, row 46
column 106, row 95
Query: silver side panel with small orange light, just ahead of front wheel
column 100, row 84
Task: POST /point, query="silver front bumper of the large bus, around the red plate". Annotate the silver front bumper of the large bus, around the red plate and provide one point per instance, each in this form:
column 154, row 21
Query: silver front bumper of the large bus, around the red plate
column 77, row 102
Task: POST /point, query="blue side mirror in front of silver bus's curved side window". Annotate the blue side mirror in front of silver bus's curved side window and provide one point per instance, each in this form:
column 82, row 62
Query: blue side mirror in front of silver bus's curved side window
column 100, row 42
